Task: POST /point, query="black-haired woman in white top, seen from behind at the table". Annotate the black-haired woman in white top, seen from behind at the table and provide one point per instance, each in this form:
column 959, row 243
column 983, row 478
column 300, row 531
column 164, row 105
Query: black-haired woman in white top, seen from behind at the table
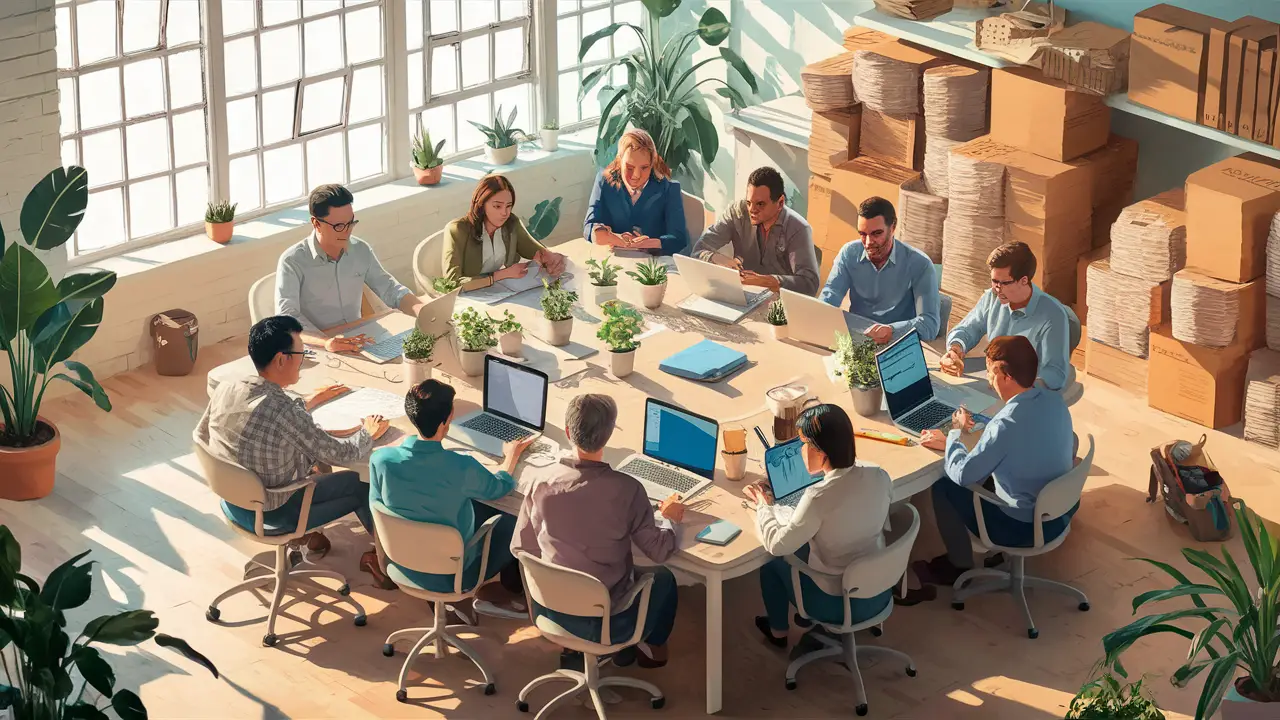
column 838, row 521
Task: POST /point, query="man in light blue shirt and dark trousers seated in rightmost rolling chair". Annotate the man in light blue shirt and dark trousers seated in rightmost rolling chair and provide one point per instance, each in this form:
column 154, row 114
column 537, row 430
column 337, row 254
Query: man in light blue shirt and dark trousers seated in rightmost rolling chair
column 1028, row 444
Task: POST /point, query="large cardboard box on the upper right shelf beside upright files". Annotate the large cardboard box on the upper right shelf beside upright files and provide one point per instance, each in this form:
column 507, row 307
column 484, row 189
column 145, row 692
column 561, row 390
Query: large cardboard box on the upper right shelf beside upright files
column 1169, row 61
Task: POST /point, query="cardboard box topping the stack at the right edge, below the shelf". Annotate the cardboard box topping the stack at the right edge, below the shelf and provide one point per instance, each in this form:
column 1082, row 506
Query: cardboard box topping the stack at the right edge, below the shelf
column 1229, row 211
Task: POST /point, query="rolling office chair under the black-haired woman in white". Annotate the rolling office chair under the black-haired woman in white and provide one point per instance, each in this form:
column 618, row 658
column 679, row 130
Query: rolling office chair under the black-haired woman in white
column 867, row 577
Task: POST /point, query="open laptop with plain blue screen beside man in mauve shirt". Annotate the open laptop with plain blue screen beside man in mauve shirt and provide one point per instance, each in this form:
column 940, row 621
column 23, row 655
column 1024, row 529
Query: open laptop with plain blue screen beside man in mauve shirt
column 679, row 452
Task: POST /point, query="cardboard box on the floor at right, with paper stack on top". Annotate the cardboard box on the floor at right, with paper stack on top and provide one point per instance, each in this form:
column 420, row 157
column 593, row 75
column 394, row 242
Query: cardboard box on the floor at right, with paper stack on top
column 1203, row 385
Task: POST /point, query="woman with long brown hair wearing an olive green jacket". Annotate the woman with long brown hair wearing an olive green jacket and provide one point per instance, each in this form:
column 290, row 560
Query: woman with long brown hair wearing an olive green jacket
column 487, row 244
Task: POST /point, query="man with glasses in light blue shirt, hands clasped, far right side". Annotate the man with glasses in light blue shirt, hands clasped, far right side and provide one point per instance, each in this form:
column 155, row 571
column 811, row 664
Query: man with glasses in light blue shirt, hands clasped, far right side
column 1014, row 306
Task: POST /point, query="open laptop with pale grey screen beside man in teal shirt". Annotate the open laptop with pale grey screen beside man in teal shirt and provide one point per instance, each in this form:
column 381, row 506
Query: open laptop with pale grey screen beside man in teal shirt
column 515, row 407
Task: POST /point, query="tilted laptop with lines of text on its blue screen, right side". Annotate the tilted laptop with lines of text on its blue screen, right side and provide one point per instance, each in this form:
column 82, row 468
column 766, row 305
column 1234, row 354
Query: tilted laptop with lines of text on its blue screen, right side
column 908, row 388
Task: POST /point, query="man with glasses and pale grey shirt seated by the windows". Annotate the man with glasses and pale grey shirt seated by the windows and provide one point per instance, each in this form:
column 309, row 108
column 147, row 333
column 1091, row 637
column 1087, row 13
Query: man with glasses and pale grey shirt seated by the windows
column 322, row 280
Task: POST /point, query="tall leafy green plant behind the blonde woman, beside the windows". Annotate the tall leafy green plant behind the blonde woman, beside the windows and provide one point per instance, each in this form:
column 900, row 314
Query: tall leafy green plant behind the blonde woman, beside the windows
column 660, row 97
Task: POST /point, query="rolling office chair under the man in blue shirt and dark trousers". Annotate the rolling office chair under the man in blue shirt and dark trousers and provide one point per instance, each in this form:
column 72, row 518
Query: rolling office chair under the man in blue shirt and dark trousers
column 1054, row 502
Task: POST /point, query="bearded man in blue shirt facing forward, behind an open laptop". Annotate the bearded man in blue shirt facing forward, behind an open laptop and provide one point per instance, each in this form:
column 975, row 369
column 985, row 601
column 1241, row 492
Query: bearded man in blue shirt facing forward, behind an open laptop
column 888, row 282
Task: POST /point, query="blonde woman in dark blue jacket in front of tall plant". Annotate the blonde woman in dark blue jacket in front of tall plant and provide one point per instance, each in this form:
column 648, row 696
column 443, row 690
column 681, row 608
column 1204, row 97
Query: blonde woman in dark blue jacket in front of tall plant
column 636, row 206
